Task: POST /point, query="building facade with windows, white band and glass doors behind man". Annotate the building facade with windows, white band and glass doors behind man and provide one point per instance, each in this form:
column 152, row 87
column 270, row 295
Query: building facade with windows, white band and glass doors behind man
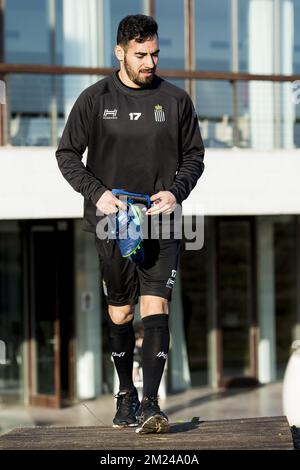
column 237, row 299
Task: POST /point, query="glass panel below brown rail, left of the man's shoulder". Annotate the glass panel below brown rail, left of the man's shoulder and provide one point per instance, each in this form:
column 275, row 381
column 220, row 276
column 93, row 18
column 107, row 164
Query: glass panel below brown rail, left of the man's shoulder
column 30, row 100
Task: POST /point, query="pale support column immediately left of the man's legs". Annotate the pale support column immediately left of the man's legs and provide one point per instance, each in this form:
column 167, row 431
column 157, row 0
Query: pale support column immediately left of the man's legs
column 88, row 324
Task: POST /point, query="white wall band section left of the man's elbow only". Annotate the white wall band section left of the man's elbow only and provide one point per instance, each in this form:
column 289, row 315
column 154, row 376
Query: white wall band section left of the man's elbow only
column 31, row 185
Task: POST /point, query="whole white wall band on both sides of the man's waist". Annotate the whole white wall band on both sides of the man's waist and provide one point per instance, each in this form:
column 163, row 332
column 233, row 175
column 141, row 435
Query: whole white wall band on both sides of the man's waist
column 234, row 182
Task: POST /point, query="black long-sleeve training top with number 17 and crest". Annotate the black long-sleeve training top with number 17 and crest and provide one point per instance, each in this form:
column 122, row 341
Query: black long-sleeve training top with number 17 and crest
column 141, row 140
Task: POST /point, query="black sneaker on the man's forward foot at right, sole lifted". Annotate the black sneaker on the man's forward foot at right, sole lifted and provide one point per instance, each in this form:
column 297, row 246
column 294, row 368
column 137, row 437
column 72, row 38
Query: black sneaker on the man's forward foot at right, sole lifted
column 151, row 418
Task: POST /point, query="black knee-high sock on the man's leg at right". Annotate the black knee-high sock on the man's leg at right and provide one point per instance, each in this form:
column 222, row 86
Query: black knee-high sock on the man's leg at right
column 154, row 351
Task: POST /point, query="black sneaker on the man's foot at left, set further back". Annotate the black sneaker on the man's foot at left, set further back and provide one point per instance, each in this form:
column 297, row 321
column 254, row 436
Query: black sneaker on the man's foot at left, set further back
column 127, row 407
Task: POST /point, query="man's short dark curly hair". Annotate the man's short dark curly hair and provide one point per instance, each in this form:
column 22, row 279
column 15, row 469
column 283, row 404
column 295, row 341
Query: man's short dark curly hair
column 138, row 27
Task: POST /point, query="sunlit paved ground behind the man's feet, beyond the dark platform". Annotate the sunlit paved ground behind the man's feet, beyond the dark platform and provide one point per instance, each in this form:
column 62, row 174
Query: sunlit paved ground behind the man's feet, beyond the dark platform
column 202, row 402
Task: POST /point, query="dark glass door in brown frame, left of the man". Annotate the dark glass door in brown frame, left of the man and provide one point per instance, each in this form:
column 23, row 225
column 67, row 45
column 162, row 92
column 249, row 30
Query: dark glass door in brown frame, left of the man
column 44, row 325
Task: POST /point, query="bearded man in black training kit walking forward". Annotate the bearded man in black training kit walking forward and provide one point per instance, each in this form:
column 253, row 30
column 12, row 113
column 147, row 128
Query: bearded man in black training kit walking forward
column 142, row 136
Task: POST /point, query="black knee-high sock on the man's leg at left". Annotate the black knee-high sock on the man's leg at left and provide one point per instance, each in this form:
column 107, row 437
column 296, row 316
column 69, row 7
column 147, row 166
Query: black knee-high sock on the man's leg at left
column 122, row 342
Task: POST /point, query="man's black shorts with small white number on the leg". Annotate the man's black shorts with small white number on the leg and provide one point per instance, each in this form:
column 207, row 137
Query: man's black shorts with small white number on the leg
column 124, row 281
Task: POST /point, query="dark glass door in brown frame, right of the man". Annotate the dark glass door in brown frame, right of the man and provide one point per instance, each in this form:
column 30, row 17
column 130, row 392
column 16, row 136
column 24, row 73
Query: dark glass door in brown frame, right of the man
column 236, row 300
